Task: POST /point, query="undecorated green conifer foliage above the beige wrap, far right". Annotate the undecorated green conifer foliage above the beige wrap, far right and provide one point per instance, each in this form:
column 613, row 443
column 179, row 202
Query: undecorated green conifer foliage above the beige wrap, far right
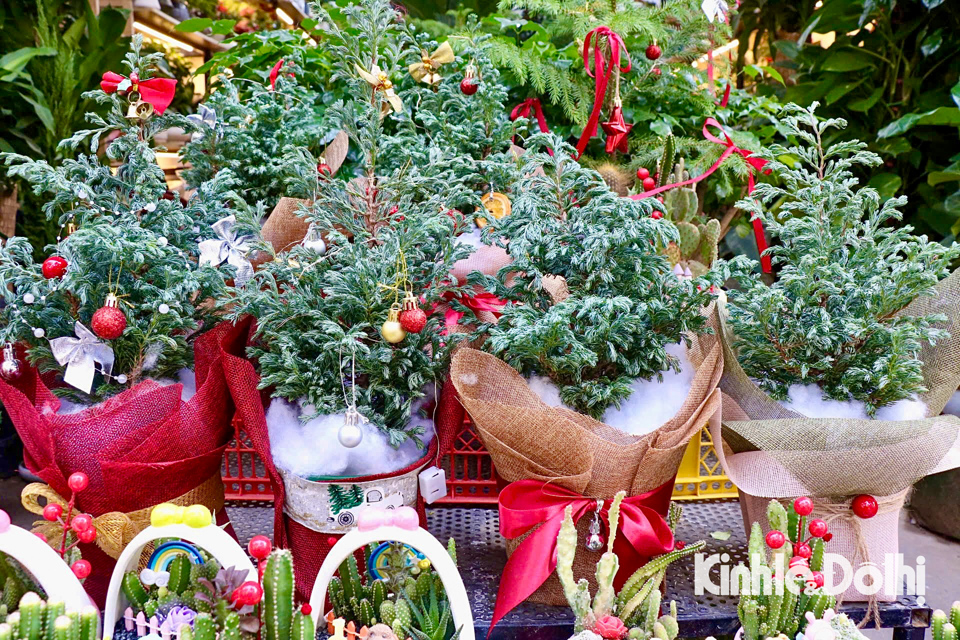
column 832, row 316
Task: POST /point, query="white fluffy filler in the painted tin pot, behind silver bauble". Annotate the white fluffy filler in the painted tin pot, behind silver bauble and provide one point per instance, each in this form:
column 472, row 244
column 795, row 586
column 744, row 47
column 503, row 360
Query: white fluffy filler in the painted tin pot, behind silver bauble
column 313, row 449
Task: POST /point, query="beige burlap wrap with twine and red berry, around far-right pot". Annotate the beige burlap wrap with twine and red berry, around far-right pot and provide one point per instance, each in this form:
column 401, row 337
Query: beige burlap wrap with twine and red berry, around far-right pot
column 773, row 452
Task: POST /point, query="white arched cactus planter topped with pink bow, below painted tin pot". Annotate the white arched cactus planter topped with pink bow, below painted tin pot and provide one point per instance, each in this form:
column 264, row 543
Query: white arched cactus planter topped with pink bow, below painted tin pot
column 410, row 586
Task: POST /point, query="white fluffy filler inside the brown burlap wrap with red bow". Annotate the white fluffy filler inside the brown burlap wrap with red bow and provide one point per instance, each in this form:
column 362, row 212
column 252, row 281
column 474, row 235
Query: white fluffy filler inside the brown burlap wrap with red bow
column 649, row 406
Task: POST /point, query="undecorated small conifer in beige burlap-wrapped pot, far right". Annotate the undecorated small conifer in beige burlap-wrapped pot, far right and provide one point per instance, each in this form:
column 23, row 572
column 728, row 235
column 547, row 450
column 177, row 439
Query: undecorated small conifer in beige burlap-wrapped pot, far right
column 837, row 373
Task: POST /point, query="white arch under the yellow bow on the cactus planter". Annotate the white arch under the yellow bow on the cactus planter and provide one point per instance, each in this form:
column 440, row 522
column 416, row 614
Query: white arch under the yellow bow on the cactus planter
column 210, row 538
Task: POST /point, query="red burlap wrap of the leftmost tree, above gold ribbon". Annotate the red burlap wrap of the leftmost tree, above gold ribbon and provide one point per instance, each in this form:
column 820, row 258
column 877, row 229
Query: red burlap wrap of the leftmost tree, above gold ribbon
column 140, row 448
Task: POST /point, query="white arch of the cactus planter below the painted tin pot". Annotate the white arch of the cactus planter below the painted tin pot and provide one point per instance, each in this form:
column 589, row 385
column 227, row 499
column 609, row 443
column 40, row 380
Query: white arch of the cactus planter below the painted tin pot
column 419, row 539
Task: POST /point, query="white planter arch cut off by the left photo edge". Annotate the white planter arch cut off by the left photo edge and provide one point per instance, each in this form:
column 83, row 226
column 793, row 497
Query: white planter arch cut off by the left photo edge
column 47, row 568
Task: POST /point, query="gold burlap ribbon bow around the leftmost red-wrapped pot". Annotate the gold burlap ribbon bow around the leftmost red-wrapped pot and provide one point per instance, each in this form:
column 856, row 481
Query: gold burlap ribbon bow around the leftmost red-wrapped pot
column 115, row 529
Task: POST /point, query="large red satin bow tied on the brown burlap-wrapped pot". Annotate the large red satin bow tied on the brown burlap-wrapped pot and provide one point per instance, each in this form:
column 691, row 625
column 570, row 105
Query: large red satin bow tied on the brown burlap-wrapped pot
column 531, row 506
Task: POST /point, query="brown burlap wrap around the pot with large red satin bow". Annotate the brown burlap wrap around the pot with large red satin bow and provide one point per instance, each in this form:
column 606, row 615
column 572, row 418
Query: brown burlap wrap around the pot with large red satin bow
column 528, row 439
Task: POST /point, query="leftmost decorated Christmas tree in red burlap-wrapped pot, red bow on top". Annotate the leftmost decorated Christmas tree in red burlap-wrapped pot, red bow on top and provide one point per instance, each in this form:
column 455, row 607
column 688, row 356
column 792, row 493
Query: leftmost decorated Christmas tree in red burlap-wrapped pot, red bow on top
column 105, row 363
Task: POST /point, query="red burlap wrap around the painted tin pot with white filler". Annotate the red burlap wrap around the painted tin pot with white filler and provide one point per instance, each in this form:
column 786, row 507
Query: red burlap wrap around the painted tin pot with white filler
column 309, row 547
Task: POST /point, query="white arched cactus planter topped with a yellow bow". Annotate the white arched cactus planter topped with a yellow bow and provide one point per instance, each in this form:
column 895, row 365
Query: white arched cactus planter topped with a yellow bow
column 193, row 573
